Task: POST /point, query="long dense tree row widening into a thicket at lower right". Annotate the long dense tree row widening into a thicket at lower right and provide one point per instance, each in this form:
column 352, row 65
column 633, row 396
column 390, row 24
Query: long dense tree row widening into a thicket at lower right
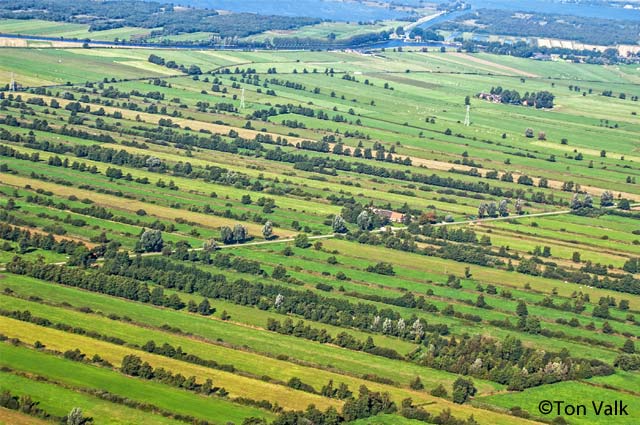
column 318, row 308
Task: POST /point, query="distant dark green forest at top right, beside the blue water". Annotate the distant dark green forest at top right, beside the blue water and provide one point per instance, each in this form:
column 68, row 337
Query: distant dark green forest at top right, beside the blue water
column 586, row 30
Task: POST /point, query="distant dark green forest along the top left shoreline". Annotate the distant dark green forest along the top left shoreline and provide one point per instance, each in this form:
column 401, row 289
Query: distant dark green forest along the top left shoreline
column 104, row 15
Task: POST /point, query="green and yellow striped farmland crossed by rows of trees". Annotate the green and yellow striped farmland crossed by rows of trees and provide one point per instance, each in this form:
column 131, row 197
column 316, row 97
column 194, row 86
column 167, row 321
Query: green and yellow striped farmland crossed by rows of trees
column 101, row 144
